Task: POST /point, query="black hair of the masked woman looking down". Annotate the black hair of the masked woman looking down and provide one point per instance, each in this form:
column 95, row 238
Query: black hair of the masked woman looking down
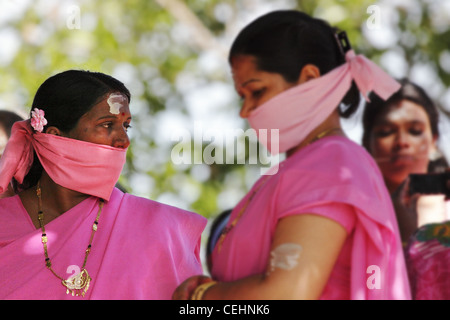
column 285, row 41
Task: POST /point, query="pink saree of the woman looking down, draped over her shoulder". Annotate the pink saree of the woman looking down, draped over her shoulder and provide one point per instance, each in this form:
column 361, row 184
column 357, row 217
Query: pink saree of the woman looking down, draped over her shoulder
column 336, row 178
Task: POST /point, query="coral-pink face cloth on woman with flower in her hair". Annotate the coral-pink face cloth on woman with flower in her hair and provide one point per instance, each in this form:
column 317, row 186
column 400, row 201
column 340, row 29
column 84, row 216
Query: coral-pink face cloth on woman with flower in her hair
column 74, row 164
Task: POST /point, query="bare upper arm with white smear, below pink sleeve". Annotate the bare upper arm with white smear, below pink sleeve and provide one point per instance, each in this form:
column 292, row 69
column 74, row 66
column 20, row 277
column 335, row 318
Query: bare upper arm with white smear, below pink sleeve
column 303, row 253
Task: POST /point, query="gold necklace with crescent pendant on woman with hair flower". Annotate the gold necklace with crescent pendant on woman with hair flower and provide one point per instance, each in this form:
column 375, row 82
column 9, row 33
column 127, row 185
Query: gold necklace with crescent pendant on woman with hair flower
column 78, row 284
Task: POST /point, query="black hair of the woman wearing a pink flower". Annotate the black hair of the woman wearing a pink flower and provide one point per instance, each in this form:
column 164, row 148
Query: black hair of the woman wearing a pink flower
column 65, row 98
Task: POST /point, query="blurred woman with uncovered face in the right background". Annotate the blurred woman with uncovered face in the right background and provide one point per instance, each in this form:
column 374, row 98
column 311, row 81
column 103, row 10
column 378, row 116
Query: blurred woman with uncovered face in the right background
column 402, row 134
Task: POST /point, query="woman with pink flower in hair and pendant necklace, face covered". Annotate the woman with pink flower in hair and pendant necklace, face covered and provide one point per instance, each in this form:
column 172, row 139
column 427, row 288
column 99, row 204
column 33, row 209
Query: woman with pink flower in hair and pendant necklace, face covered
column 69, row 233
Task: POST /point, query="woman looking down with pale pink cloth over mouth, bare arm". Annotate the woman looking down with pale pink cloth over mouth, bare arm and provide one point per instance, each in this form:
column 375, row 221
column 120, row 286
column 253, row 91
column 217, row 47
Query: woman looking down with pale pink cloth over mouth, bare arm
column 322, row 225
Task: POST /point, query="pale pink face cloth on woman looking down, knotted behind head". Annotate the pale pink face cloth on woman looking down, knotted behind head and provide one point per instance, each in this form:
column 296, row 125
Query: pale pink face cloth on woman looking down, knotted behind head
column 299, row 110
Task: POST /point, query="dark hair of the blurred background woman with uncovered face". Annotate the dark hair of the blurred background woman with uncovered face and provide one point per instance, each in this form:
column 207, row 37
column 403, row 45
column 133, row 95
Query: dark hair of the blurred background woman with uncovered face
column 411, row 92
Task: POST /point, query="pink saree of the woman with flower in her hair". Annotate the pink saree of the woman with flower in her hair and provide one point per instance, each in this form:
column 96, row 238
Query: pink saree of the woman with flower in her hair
column 142, row 249
